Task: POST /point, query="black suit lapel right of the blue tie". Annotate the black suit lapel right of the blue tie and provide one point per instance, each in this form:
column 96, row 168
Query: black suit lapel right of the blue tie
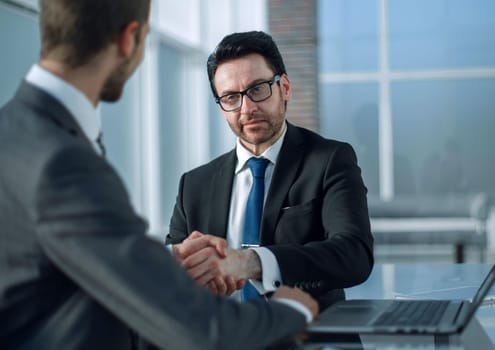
column 289, row 160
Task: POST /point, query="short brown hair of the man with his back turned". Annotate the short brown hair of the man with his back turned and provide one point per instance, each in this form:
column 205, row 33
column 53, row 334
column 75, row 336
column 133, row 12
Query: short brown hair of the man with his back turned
column 74, row 31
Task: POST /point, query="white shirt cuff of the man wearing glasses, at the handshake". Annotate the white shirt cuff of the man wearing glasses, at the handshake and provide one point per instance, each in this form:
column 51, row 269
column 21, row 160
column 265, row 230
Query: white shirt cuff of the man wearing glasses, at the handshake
column 271, row 277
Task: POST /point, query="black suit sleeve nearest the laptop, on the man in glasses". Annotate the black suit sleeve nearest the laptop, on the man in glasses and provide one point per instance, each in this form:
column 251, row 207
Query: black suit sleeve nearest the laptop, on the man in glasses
column 344, row 257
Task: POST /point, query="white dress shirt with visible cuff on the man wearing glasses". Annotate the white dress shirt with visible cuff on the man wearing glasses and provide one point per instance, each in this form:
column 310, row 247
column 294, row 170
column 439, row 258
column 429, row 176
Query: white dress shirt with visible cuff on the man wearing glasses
column 243, row 179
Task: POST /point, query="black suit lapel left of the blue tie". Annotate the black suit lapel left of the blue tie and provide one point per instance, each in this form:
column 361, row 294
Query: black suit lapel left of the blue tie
column 221, row 190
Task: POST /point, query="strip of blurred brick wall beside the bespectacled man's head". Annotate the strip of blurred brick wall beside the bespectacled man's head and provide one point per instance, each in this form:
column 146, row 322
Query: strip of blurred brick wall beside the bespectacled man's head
column 292, row 24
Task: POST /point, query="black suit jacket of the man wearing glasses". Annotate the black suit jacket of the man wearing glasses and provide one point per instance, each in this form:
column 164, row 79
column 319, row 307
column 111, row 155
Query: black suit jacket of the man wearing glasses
column 315, row 219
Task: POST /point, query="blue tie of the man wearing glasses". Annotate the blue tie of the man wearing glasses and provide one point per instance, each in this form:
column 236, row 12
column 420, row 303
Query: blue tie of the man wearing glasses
column 254, row 208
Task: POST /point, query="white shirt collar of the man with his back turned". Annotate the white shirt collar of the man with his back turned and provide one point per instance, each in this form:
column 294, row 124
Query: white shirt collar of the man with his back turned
column 71, row 98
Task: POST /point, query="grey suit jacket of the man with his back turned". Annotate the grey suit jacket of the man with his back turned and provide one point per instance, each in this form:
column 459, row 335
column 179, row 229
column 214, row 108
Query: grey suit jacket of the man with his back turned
column 76, row 268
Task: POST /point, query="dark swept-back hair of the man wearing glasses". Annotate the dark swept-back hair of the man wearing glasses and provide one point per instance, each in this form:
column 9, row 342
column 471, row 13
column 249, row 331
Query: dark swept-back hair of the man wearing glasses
column 238, row 45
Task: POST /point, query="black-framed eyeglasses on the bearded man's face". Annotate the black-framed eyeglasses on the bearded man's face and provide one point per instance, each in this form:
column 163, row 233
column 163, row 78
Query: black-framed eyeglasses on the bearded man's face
column 256, row 93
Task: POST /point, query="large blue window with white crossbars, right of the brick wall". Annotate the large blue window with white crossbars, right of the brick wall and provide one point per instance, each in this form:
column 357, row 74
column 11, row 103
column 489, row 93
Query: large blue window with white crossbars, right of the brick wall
column 410, row 84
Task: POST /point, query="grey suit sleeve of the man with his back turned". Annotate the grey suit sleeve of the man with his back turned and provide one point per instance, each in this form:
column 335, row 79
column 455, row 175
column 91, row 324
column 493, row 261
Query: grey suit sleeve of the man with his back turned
column 88, row 229
